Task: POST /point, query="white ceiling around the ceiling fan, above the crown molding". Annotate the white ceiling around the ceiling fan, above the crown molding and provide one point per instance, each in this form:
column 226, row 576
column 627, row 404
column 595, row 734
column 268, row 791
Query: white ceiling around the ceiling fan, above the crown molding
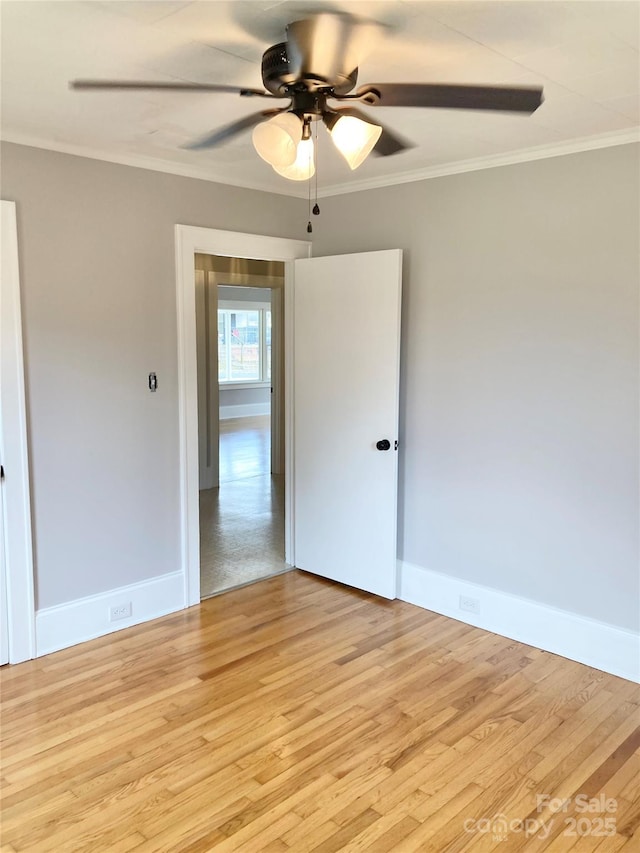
column 585, row 54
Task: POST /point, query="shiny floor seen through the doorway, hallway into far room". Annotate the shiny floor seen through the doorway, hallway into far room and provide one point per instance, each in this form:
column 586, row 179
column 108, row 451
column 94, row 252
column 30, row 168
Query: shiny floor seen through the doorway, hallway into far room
column 242, row 522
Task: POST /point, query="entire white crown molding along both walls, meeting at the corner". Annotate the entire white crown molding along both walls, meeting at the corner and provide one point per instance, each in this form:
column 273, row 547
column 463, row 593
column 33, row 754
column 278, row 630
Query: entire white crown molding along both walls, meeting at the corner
column 509, row 158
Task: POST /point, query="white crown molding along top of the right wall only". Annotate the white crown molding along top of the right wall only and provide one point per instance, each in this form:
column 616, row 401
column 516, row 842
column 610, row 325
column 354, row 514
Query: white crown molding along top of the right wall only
column 509, row 158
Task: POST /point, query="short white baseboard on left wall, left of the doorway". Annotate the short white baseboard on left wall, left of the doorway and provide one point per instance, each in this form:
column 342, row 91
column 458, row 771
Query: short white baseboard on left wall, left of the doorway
column 87, row 618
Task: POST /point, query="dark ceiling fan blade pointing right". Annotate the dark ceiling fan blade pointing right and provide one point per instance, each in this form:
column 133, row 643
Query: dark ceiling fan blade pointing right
column 525, row 99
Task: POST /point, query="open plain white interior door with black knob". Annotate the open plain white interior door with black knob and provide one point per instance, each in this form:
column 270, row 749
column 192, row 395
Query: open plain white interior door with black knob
column 346, row 379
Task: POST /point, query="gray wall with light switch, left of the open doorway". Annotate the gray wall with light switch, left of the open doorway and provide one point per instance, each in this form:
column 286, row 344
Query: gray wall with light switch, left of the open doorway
column 98, row 288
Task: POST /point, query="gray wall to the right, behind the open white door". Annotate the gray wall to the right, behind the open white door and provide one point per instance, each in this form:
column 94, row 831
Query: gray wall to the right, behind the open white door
column 519, row 406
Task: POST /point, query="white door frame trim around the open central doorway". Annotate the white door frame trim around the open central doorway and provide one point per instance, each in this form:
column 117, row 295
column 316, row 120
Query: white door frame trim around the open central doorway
column 189, row 240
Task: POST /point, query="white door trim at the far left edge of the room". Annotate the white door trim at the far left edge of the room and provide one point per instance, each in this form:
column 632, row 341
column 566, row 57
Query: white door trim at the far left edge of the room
column 15, row 454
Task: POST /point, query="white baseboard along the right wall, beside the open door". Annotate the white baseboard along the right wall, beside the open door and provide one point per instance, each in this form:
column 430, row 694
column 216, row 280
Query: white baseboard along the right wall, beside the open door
column 597, row 644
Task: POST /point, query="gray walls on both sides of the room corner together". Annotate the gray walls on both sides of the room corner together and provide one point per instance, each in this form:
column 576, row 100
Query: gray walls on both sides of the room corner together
column 519, row 409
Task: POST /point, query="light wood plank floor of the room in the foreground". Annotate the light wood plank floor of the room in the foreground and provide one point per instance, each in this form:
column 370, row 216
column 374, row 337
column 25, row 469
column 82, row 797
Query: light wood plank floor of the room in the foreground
column 298, row 715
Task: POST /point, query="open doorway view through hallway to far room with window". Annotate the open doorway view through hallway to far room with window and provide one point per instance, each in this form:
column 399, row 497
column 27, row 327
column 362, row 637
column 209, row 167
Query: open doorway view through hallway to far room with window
column 239, row 331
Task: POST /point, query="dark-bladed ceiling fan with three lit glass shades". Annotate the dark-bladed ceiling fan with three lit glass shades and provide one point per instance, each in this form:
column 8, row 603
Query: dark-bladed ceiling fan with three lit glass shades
column 316, row 71
